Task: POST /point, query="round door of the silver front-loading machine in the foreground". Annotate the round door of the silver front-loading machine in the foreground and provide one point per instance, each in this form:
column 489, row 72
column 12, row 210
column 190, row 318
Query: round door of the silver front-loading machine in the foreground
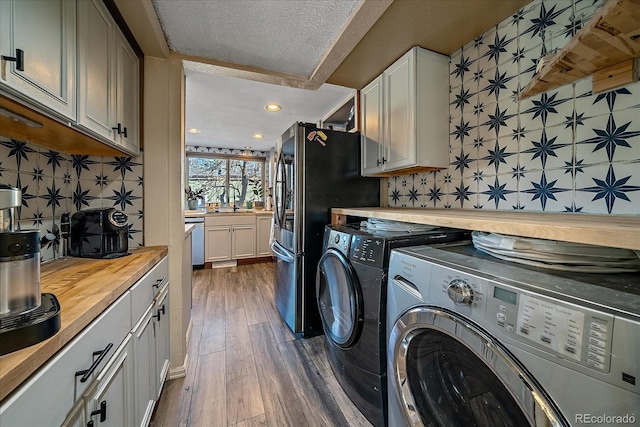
column 449, row 372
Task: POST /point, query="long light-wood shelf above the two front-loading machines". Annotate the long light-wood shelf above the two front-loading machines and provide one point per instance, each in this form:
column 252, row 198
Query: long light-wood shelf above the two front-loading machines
column 616, row 231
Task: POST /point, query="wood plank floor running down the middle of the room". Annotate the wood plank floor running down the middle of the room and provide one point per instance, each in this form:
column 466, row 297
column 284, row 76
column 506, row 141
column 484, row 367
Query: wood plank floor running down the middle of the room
column 246, row 367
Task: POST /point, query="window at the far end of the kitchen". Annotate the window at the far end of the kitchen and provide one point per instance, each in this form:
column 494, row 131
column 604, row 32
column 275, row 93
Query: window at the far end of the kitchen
column 227, row 179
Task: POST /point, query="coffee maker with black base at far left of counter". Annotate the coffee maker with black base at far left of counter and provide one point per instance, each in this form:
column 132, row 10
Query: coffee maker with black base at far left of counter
column 26, row 315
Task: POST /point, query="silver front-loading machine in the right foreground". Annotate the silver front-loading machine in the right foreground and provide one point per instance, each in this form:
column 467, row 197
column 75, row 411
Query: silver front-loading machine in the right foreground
column 473, row 340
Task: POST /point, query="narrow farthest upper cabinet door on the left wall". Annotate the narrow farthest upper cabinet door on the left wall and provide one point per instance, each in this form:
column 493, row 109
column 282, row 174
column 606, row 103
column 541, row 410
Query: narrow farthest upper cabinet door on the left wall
column 127, row 95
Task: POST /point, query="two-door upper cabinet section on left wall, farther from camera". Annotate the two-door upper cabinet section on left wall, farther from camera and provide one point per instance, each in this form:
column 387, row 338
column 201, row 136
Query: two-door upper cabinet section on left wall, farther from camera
column 108, row 78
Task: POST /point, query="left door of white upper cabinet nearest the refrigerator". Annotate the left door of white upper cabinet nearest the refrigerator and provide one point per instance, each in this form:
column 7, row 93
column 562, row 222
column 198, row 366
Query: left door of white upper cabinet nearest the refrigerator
column 372, row 127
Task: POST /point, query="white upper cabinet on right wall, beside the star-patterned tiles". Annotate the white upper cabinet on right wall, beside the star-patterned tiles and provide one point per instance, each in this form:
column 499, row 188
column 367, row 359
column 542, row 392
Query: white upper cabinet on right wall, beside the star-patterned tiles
column 405, row 116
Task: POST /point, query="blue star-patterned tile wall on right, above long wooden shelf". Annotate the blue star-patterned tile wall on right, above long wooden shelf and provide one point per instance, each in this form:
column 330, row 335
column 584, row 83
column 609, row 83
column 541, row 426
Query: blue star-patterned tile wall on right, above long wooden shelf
column 566, row 150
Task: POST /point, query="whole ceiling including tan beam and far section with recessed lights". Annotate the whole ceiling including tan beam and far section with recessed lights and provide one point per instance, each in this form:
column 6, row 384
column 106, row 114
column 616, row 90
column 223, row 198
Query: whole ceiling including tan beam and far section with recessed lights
column 229, row 46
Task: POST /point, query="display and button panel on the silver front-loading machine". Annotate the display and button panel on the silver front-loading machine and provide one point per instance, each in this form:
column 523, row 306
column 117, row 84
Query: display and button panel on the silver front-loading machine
column 574, row 333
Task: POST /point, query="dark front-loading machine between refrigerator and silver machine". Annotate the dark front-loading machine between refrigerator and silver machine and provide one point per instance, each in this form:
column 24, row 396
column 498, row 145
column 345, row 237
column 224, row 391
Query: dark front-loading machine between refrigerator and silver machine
column 351, row 287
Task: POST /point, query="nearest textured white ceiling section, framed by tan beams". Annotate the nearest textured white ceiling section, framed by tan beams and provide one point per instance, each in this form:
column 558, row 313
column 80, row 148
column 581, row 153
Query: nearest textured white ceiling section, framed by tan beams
column 289, row 36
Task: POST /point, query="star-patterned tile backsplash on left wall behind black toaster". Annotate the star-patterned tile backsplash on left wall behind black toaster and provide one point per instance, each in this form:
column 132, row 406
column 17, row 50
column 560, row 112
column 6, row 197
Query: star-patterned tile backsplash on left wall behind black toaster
column 53, row 183
